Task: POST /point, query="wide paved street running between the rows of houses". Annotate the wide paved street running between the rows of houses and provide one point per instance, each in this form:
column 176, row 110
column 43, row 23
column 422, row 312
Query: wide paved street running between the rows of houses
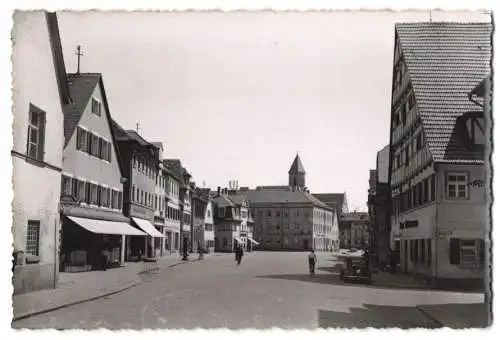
column 267, row 290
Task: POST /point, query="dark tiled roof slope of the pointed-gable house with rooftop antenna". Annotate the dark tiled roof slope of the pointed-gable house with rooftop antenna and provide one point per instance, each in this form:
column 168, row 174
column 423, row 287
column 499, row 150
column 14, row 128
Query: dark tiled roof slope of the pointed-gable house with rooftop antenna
column 81, row 87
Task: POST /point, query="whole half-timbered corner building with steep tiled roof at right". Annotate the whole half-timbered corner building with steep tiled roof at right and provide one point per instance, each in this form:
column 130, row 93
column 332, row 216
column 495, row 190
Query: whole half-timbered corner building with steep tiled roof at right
column 437, row 150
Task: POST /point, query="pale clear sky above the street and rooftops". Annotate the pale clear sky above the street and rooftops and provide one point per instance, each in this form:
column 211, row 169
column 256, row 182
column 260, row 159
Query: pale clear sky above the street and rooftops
column 236, row 95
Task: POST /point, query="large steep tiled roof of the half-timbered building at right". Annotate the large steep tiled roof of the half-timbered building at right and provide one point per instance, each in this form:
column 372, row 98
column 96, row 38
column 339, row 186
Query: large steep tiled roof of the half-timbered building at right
column 445, row 62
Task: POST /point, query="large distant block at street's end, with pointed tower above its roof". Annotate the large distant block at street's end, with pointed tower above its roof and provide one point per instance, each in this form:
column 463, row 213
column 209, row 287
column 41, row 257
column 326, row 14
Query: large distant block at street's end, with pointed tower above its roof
column 289, row 217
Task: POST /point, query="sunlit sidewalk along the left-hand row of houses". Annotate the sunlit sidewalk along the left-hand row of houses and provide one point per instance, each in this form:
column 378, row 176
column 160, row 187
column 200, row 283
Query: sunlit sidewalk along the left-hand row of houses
column 74, row 288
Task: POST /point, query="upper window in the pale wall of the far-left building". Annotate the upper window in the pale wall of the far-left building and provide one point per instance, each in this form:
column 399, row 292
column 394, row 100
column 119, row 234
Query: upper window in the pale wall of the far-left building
column 36, row 133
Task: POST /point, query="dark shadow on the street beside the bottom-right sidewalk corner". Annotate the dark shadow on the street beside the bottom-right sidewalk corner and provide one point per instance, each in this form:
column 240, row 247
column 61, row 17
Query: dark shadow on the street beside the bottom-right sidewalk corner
column 377, row 317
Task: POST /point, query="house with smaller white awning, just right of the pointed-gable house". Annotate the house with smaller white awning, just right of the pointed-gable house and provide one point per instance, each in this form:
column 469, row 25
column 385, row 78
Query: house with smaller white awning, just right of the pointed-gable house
column 140, row 160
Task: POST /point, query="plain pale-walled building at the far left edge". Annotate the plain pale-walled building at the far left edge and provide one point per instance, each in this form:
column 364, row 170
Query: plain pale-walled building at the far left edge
column 37, row 152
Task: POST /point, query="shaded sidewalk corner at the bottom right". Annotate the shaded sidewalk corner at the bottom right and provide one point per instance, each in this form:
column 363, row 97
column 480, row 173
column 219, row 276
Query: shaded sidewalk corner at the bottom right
column 475, row 315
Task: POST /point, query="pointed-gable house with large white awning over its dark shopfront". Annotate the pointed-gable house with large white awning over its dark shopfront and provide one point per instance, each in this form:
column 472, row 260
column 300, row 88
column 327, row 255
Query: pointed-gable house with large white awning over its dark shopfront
column 93, row 222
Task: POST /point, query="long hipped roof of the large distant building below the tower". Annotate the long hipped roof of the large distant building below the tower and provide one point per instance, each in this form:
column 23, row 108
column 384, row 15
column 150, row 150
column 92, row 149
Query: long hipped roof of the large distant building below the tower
column 282, row 196
